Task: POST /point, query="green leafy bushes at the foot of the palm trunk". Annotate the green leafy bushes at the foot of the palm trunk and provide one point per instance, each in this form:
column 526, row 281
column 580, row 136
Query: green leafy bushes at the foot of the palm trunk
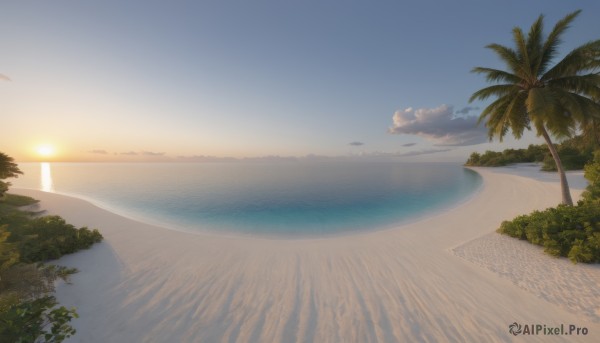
column 569, row 231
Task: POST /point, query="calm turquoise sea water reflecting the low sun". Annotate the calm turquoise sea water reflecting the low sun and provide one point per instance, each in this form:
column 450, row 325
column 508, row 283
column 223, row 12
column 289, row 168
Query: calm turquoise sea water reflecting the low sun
column 294, row 199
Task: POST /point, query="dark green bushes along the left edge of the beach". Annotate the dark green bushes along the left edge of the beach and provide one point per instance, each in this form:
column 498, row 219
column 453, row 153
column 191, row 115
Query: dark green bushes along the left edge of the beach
column 28, row 310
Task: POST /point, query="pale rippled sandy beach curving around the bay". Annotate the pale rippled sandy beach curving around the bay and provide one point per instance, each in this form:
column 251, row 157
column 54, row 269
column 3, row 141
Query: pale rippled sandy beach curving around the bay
column 415, row 283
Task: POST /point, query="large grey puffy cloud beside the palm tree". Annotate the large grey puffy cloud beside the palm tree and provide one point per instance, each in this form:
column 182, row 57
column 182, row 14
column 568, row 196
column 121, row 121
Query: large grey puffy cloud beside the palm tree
column 439, row 125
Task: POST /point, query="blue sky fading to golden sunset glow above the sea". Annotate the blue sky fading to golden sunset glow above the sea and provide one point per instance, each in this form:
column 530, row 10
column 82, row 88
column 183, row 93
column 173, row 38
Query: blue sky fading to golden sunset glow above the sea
column 206, row 80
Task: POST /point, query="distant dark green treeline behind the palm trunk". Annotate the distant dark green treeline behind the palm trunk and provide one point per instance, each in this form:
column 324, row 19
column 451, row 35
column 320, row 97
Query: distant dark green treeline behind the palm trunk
column 574, row 154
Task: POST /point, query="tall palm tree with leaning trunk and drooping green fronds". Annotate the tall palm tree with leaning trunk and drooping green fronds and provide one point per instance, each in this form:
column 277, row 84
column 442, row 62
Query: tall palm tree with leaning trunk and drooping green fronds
column 553, row 99
